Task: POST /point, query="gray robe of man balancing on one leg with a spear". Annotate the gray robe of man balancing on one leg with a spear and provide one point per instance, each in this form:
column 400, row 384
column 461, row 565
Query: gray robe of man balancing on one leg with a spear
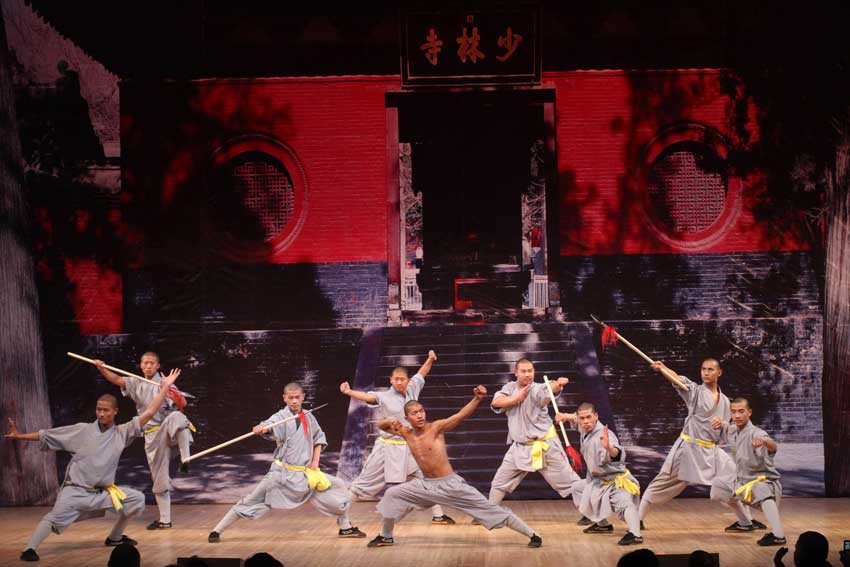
column 160, row 432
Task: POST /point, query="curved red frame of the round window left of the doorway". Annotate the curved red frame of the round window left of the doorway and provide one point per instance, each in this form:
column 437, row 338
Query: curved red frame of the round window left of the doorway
column 282, row 153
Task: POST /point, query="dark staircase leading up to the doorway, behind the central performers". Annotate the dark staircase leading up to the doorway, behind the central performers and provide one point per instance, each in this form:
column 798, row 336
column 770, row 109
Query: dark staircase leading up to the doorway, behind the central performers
column 483, row 354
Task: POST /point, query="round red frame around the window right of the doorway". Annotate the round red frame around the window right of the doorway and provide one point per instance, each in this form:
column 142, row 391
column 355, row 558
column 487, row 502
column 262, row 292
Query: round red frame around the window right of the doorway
column 721, row 226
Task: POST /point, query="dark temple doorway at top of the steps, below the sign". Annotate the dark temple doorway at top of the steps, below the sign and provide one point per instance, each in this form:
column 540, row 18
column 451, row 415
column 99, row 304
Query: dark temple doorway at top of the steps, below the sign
column 471, row 163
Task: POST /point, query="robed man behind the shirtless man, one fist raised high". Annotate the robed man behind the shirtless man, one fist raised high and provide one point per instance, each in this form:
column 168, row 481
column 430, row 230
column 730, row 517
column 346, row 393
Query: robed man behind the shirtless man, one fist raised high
column 390, row 461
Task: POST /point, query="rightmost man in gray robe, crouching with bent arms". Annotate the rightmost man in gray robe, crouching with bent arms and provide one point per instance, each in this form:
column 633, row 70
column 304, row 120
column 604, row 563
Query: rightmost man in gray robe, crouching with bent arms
column 756, row 480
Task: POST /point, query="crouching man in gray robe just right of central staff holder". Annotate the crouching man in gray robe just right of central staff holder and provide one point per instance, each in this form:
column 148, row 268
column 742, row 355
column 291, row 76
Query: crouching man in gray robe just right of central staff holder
column 609, row 487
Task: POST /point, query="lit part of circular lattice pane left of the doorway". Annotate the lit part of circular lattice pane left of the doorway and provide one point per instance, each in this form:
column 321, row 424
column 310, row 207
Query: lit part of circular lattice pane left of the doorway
column 264, row 189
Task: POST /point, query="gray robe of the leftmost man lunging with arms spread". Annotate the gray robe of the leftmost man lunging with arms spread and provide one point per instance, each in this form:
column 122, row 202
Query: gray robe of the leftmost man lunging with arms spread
column 92, row 469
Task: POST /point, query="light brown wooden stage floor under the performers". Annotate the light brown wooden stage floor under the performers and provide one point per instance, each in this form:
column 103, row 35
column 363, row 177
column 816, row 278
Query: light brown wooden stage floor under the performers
column 304, row 537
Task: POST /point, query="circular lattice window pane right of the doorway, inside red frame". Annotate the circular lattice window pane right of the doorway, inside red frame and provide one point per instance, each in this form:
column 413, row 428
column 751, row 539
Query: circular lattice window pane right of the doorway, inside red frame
column 687, row 188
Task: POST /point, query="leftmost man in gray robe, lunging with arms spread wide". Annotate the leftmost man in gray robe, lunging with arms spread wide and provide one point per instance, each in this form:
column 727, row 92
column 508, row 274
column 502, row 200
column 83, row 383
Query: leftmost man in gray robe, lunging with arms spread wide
column 89, row 486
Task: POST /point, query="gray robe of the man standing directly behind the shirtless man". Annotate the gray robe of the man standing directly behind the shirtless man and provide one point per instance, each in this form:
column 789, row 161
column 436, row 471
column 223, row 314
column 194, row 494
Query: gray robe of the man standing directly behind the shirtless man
column 389, row 461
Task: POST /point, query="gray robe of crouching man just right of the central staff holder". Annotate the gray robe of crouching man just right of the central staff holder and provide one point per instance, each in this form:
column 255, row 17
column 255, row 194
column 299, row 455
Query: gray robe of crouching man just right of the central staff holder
column 597, row 497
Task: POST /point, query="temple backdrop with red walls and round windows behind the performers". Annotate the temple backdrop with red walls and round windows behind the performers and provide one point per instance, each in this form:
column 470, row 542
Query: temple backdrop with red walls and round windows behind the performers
column 264, row 201
